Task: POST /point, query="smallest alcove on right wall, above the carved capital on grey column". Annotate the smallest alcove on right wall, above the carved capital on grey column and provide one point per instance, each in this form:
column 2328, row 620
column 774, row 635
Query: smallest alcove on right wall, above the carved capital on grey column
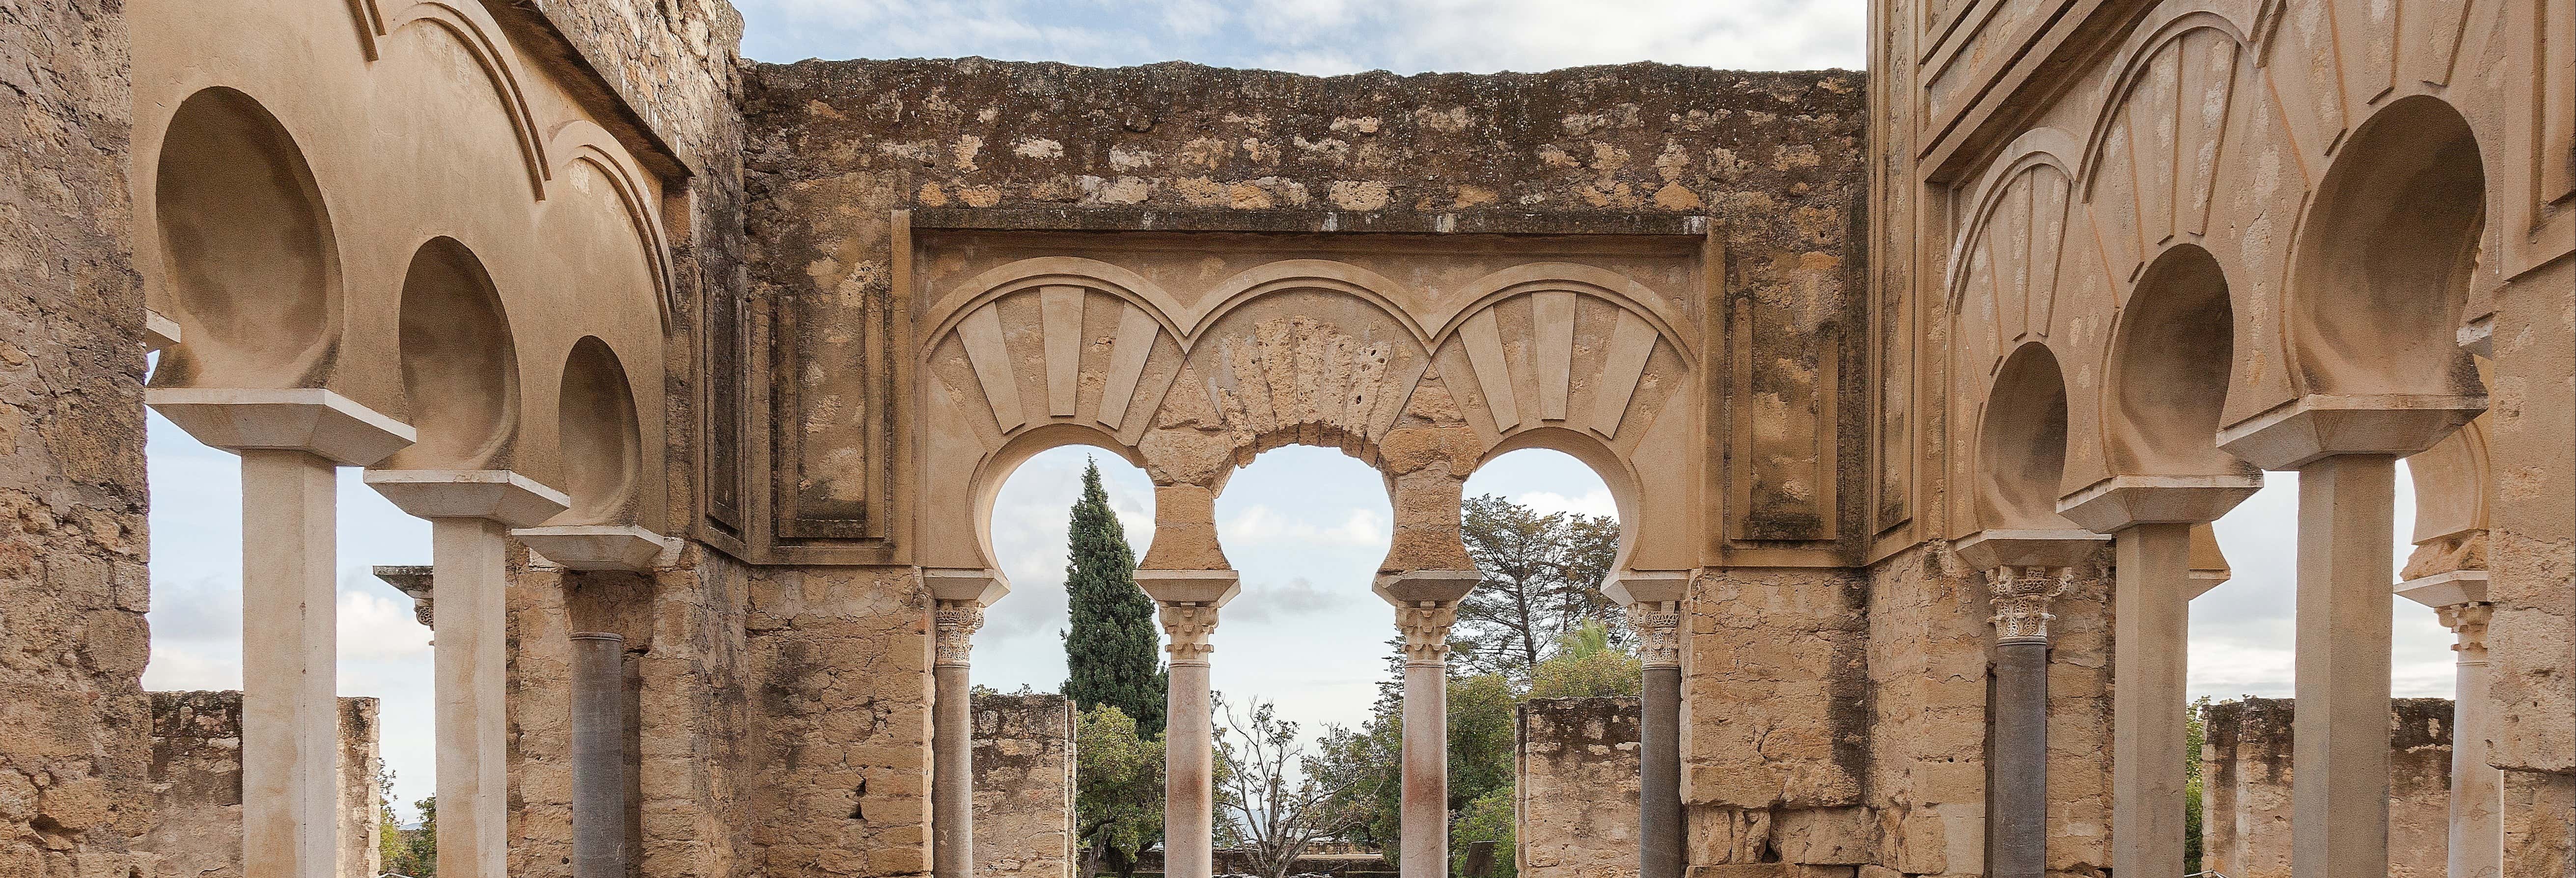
column 2021, row 452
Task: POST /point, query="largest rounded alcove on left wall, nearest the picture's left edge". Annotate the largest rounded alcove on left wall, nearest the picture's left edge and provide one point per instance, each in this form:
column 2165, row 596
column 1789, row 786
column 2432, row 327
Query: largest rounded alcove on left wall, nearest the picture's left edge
column 249, row 254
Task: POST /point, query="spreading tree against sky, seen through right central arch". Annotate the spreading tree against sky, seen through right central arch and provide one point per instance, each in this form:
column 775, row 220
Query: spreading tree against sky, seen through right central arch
column 1542, row 578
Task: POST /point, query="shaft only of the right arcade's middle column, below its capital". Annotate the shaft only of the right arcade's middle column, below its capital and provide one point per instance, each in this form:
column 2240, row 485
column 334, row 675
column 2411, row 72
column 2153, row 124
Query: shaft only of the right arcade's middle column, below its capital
column 2152, row 614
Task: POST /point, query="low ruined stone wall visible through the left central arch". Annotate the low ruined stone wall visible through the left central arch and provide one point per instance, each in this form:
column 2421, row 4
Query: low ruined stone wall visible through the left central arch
column 1024, row 787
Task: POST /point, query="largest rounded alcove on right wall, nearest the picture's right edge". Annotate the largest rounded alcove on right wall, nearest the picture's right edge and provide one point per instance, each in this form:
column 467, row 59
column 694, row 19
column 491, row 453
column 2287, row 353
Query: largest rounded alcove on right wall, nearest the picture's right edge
column 2387, row 254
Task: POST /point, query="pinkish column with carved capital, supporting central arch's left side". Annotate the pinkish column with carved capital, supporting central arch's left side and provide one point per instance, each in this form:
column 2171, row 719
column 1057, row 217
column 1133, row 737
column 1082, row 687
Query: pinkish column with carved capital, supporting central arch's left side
column 1189, row 756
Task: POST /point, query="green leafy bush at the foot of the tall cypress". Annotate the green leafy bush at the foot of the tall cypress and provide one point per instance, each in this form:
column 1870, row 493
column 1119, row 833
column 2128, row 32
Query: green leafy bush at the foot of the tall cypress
column 1117, row 789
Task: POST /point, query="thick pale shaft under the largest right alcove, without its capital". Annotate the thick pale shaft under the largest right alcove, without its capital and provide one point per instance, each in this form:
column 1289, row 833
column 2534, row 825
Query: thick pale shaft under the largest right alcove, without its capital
column 2340, row 735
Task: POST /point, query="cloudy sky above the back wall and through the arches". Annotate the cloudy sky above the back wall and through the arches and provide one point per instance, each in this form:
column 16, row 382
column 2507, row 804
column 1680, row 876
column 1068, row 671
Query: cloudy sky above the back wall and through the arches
column 1305, row 527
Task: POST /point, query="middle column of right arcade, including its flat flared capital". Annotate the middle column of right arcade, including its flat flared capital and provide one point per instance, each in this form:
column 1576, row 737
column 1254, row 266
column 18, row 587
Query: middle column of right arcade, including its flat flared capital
column 2157, row 524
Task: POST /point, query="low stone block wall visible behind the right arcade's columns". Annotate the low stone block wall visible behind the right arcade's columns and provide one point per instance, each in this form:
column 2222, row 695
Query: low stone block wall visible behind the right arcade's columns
column 2248, row 789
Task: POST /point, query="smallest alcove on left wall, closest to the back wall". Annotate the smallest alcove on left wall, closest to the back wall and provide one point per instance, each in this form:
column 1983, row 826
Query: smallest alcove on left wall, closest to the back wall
column 604, row 447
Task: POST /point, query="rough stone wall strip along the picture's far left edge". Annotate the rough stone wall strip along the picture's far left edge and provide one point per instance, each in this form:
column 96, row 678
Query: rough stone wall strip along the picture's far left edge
column 73, row 588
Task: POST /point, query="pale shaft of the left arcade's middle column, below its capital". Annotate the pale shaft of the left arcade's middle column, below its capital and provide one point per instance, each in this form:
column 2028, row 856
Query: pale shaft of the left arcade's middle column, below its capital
column 473, row 627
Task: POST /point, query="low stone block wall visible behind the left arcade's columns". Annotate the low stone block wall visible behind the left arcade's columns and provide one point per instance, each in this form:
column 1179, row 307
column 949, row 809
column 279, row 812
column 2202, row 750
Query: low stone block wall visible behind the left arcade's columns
column 197, row 779
